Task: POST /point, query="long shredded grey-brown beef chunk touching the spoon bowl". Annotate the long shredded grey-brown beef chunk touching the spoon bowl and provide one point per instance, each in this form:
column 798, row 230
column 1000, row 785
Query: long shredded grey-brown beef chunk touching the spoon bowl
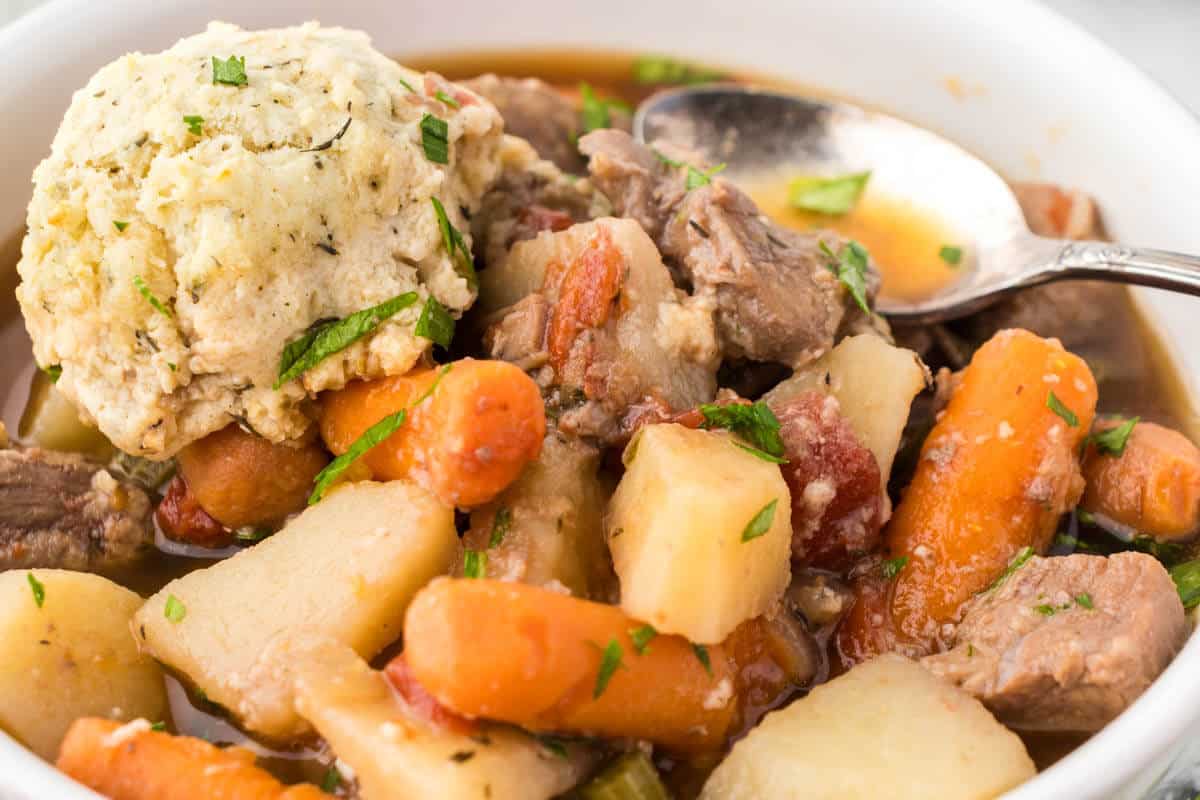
column 775, row 293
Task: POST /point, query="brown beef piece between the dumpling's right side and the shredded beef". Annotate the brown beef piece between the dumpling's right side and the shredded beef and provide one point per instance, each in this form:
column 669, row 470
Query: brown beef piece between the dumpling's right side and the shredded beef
column 531, row 196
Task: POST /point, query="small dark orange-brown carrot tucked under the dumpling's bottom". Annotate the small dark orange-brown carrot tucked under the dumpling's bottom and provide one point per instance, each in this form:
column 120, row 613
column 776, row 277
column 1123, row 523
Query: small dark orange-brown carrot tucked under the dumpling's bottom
column 242, row 479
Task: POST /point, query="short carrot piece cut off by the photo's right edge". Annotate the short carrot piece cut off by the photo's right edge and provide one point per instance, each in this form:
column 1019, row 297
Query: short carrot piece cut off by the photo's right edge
column 1154, row 486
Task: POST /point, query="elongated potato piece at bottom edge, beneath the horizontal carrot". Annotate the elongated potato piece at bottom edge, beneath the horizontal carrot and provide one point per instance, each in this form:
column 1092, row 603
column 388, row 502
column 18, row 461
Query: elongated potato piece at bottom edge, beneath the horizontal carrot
column 398, row 756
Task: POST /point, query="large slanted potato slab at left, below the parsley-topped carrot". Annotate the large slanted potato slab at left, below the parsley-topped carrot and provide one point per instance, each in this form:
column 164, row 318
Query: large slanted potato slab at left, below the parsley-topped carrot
column 346, row 568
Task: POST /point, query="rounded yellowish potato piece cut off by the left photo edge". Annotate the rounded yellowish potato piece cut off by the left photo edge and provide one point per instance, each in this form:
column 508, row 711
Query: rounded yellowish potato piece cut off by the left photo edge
column 71, row 658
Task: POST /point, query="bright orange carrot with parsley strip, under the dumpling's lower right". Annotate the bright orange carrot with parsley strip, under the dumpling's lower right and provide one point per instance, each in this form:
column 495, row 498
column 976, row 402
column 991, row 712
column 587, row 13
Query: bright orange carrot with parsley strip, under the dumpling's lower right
column 465, row 443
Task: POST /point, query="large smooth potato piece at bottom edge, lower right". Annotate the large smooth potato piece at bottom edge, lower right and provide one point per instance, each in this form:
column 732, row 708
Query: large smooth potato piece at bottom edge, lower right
column 886, row 729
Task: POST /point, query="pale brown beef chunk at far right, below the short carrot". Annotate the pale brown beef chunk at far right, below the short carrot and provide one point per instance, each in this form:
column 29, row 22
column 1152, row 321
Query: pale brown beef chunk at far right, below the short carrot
column 1067, row 643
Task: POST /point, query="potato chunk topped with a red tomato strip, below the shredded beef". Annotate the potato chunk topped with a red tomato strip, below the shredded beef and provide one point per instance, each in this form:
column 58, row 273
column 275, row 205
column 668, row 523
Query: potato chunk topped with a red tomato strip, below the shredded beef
column 593, row 311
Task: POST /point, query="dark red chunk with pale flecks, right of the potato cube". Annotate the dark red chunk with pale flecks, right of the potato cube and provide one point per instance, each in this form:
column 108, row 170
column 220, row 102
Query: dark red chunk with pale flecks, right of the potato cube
column 837, row 504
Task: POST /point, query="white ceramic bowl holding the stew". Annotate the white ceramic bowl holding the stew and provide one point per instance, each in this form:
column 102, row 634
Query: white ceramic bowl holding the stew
column 1036, row 98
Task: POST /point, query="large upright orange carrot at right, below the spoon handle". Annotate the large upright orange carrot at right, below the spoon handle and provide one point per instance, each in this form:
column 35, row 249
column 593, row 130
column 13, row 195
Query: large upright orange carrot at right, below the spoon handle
column 995, row 476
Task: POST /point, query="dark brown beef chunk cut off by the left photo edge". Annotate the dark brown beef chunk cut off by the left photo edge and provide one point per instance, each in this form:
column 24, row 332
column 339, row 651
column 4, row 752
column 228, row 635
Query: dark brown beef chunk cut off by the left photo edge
column 58, row 510
